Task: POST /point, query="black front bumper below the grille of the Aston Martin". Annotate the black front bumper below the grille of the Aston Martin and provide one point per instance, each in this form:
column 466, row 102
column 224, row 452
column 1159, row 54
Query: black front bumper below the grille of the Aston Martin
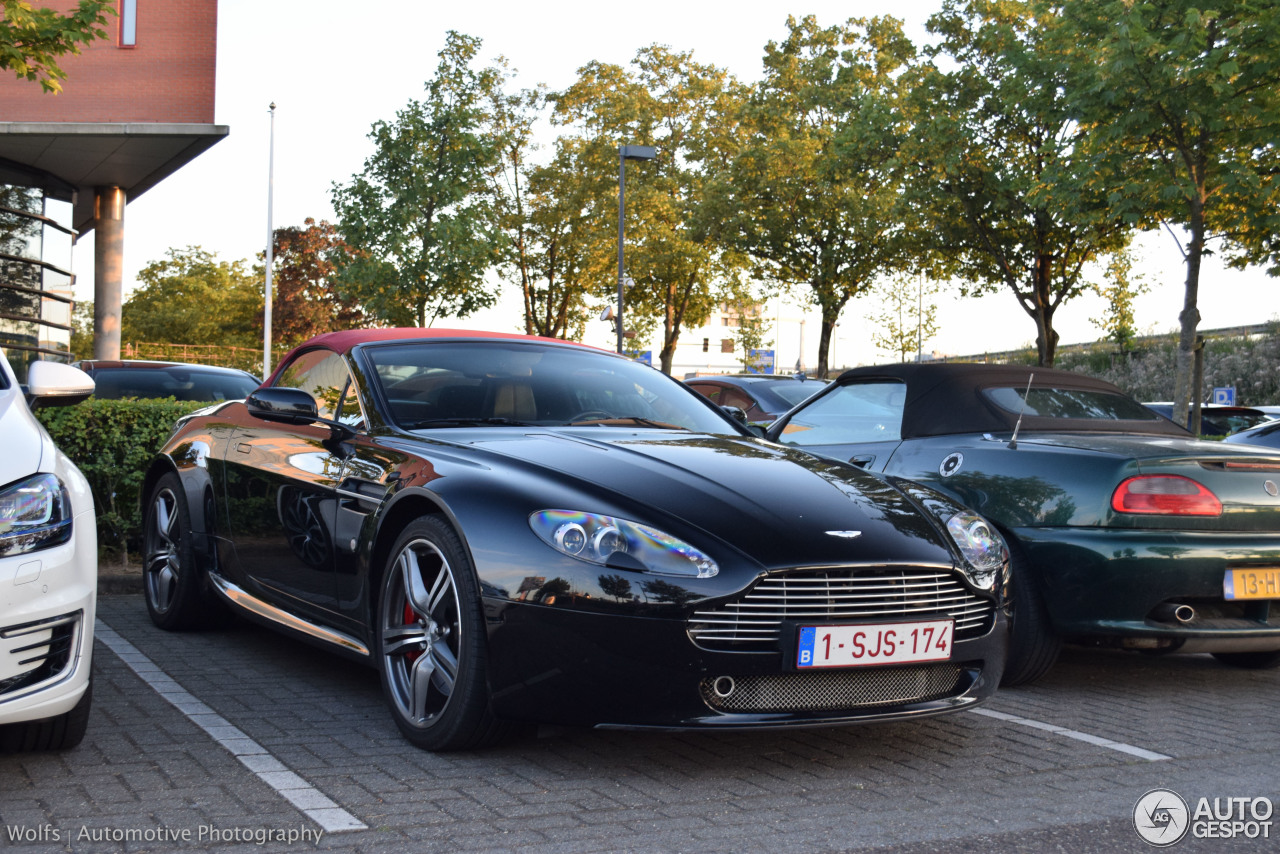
column 555, row 665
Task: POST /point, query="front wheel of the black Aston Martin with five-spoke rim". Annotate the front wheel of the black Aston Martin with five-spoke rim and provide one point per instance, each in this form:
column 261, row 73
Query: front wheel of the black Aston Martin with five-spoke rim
column 431, row 642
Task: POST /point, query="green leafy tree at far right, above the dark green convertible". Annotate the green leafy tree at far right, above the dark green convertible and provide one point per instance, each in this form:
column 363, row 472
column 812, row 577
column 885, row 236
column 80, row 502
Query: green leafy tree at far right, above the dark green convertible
column 1185, row 101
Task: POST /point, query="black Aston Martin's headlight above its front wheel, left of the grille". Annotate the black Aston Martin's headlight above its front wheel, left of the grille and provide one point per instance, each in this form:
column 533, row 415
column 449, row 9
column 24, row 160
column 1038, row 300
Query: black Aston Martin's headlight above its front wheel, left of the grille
column 609, row 541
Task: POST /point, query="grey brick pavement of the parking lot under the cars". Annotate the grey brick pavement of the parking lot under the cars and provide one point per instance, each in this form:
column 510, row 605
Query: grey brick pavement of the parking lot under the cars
column 918, row 787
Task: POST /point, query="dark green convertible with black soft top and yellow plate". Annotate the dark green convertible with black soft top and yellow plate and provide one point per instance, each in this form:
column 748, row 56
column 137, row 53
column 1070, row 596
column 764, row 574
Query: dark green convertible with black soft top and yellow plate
column 1124, row 529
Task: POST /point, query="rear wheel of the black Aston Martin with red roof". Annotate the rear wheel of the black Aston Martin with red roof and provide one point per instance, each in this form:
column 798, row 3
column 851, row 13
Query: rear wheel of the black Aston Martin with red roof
column 171, row 579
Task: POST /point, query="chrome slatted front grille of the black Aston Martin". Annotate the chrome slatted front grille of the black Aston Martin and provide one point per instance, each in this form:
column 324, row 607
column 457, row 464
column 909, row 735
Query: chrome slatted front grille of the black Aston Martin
column 840, row 596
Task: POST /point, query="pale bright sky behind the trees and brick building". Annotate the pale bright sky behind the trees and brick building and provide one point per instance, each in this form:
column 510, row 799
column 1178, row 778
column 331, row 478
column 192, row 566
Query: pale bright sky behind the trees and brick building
column 335, row 68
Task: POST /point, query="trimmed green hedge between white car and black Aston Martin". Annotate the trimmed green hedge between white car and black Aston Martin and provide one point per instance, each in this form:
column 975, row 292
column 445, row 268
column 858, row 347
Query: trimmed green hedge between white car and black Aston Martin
column 113, row 442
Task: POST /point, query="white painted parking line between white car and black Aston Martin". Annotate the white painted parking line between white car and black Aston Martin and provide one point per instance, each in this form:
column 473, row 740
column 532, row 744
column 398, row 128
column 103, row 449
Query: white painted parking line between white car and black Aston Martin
column 291, row 787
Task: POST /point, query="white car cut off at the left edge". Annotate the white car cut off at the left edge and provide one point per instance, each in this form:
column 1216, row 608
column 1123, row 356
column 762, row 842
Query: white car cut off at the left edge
column 48, row 569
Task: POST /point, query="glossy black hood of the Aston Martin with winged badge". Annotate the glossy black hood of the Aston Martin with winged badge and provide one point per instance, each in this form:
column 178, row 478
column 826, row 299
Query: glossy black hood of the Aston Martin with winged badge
column 781, row 508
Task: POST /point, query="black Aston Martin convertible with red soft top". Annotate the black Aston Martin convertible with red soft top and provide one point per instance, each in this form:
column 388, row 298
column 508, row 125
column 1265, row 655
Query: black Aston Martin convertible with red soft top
column 518, row 529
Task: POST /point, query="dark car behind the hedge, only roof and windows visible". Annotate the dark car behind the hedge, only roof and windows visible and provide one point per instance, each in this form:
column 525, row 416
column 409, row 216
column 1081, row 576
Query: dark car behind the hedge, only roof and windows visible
column 139, row 378
